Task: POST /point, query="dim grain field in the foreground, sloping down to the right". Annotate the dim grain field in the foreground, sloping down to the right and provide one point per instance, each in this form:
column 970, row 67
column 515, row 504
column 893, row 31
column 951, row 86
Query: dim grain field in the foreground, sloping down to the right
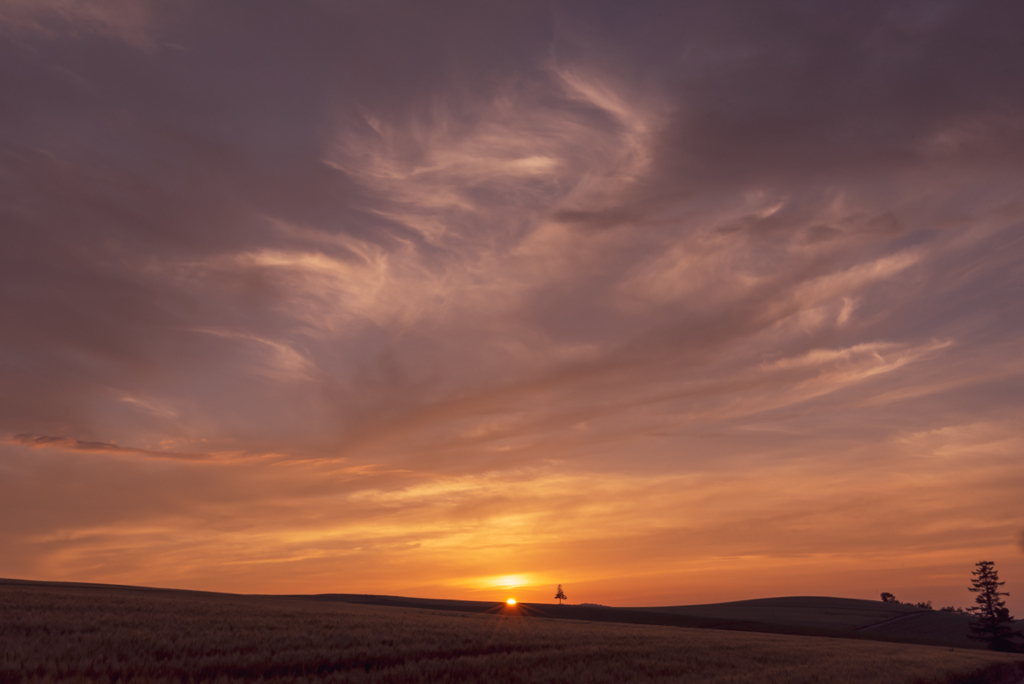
column 88, row 634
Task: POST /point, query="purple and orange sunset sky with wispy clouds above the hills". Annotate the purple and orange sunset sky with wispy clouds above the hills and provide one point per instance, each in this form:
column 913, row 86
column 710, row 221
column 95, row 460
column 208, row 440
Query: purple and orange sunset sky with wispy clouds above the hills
column 666, row 303
